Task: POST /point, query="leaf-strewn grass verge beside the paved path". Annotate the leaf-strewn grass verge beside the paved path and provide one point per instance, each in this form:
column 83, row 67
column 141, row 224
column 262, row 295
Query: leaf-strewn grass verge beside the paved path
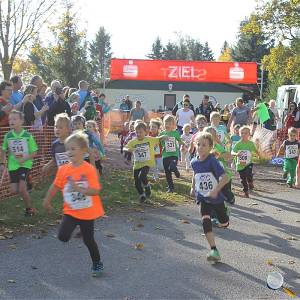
column 118, row 194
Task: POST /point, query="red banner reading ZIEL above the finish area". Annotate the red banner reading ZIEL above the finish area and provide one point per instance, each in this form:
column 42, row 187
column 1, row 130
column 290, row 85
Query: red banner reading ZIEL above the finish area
column 179, row 70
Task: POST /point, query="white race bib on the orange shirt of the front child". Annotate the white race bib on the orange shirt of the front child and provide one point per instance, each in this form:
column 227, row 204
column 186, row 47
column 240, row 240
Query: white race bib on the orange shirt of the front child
column 77, row 200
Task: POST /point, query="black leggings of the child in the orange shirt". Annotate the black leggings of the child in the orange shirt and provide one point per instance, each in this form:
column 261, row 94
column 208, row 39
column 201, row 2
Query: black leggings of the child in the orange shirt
column 87, row 229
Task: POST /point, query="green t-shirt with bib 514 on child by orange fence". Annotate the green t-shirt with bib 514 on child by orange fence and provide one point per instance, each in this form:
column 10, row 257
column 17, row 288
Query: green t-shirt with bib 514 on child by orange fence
column 17, row 145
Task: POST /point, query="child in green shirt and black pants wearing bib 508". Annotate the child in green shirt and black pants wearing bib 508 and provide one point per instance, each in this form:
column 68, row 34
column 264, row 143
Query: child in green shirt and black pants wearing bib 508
column 243, row 150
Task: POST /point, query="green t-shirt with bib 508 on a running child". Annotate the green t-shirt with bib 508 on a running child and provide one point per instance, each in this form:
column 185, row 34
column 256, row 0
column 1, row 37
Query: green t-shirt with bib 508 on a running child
column 245, row 151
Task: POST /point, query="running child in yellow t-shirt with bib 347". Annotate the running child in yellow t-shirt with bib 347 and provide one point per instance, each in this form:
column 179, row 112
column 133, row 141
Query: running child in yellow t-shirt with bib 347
column 144, row 158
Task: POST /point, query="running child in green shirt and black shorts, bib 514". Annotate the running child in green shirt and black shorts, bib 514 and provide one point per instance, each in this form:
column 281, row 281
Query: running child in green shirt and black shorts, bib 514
column 21, row 148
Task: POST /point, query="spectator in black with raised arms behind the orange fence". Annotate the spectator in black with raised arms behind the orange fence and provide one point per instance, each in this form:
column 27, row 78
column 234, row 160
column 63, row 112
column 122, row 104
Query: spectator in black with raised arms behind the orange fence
column 58, row 106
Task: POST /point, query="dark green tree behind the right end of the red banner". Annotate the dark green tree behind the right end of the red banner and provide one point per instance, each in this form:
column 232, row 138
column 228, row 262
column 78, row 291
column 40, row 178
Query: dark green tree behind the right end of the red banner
column 251, row 46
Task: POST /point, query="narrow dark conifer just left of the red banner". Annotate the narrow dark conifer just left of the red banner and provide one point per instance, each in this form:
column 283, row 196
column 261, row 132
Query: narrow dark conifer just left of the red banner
column 100, row 54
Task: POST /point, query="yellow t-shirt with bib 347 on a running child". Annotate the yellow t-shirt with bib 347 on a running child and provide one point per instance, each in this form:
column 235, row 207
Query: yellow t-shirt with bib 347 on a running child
column 143, row 151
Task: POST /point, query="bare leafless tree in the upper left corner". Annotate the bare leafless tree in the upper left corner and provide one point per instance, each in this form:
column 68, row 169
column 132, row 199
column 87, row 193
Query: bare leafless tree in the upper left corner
column 20, row 20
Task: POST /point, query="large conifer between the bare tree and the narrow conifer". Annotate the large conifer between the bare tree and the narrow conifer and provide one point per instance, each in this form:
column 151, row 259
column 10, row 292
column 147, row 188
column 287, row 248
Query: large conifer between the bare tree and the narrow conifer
column 65, row 59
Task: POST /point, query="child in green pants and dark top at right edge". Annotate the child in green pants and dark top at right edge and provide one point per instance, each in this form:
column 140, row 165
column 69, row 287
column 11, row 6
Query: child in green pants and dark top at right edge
column 291, row 154
